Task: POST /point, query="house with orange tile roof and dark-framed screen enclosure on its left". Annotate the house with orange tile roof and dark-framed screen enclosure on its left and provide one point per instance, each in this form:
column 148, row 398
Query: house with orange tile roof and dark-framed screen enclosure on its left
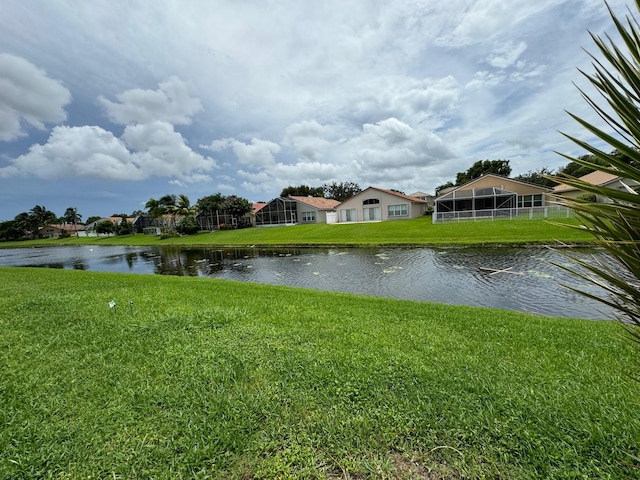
column 292, row 210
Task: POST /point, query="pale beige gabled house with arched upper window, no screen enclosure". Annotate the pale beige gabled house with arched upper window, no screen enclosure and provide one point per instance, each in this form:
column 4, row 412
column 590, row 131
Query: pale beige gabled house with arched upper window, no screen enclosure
column 376, row 204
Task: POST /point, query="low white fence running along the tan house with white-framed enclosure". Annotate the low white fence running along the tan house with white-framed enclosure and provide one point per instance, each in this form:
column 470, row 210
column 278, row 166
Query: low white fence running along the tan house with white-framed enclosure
column 532, row 213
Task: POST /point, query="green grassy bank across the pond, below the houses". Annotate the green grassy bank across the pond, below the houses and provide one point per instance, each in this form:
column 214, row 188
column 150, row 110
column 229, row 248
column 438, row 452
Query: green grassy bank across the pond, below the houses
column 419, row 231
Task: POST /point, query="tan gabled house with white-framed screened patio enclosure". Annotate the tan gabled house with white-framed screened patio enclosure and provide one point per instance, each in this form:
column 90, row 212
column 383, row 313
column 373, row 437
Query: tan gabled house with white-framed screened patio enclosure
column 488, row 196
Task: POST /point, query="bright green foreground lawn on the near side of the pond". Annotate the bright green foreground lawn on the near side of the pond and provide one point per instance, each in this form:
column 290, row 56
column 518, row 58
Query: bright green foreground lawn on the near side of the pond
column 202, row 378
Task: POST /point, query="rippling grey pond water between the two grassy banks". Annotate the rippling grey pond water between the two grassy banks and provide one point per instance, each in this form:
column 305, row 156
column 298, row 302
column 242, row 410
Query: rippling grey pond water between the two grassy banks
column 457, row 276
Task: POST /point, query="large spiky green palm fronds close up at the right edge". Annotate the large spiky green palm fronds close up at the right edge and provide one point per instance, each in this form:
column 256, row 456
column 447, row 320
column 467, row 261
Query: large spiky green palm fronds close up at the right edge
column 614, row 224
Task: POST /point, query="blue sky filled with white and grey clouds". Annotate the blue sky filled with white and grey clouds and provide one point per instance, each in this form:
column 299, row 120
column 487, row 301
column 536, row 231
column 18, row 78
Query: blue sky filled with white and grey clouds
column 105, row 104
